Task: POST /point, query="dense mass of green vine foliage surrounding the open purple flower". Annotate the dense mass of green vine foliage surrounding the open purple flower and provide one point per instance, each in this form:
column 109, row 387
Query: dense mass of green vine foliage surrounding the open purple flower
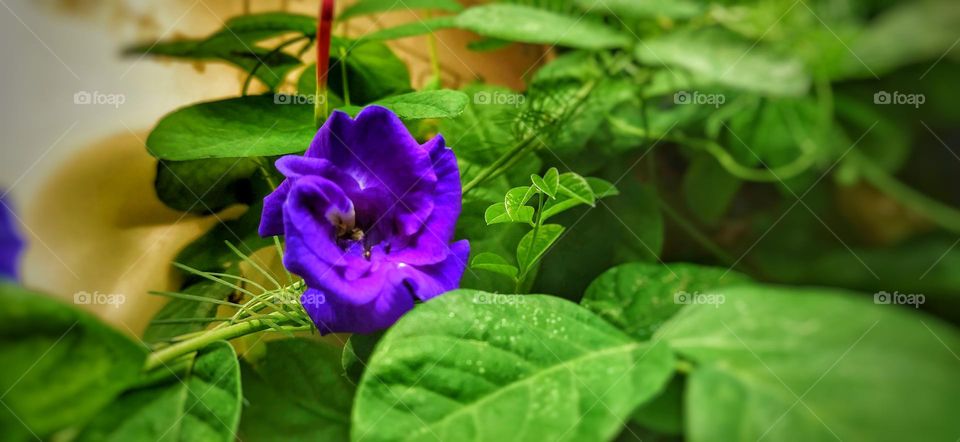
column 623, row 356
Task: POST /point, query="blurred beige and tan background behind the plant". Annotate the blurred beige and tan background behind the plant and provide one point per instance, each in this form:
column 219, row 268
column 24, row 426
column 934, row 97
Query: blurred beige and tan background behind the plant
column 80, row 176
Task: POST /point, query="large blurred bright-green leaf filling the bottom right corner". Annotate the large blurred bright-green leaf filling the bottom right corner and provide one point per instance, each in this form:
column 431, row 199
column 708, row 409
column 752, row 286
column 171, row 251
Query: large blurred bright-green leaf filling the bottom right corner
column 817, row 364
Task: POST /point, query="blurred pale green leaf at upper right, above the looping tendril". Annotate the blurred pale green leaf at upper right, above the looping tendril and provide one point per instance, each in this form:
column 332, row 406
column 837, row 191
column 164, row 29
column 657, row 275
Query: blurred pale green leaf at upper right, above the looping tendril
column 716, row 57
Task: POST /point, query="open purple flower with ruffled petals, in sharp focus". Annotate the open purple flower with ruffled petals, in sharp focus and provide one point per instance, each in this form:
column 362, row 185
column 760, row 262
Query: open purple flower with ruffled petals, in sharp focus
column 368, row 216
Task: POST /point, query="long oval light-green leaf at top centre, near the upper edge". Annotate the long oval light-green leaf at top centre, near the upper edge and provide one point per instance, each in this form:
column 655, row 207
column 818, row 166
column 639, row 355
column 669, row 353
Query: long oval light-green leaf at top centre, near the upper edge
column 527, row 24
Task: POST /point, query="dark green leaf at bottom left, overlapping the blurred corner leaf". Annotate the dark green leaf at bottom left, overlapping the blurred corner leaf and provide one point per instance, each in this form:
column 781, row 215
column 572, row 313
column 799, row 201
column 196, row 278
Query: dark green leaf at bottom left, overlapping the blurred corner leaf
column 202, row 405
